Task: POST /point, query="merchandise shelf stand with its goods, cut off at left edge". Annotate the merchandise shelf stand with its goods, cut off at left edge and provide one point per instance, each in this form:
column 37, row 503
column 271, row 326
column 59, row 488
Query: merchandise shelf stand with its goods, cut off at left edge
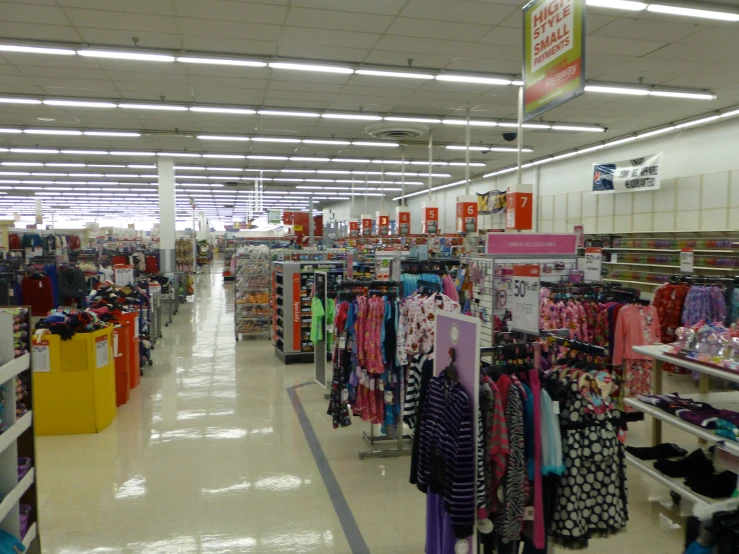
column 19, row 504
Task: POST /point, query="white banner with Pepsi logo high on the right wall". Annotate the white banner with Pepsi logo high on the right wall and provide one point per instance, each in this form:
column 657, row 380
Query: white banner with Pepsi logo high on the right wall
column 634, row 175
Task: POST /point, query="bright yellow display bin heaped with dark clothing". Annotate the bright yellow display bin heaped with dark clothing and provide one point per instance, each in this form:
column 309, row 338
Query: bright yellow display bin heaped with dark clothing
column 74, row 392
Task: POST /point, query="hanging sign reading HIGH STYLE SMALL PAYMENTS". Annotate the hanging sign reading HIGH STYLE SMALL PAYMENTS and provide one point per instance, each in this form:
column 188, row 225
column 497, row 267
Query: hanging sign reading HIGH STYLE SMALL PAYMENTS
column 554, row 54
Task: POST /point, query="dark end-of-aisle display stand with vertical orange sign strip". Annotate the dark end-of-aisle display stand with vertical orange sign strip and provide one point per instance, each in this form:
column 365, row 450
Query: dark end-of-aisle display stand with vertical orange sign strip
column 293, row 285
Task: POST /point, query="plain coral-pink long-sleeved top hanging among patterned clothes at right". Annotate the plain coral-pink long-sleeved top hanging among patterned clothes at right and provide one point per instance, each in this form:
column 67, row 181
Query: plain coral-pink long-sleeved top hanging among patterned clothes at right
column 636, row 326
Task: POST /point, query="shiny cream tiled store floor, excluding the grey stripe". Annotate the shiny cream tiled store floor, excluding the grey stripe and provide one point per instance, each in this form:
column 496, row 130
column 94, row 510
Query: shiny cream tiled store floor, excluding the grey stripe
column 209, row 457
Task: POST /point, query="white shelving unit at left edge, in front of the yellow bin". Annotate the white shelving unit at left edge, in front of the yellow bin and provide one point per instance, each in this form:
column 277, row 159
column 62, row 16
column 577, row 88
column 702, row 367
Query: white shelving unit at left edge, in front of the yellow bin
column 17, row 440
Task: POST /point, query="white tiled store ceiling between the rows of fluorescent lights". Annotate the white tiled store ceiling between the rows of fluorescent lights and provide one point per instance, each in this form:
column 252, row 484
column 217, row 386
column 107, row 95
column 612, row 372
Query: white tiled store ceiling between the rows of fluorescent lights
column 459, row 37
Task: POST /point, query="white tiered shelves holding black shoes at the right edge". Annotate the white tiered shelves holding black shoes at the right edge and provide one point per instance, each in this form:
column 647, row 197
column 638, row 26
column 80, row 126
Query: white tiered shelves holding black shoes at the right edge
column 726, row 452
